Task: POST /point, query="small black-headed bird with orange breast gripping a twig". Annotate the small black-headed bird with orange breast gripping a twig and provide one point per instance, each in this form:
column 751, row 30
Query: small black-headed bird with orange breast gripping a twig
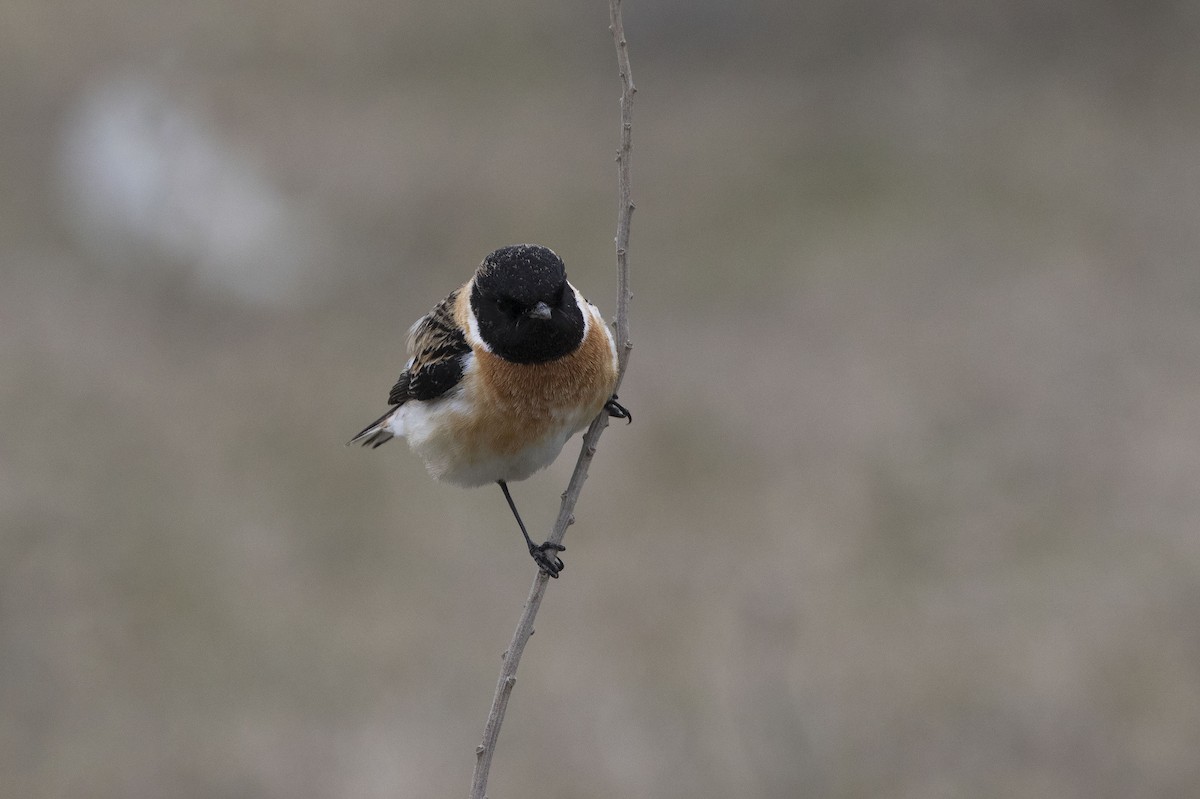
column 501, row 374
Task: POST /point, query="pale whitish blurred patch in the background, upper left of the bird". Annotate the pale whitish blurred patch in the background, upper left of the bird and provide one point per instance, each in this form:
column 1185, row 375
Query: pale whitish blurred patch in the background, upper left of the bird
column 146, row 179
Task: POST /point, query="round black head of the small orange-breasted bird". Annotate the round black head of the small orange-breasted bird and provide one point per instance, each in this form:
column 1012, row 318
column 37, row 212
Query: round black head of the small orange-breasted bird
column 511, row 287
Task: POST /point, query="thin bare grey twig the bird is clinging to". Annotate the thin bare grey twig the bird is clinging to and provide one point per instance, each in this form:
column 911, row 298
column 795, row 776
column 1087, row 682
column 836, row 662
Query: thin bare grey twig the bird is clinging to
column 485, row 752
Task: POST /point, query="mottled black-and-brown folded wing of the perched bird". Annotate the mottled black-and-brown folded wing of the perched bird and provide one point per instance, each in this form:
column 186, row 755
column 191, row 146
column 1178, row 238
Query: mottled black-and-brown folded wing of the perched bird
column 437, row 346
